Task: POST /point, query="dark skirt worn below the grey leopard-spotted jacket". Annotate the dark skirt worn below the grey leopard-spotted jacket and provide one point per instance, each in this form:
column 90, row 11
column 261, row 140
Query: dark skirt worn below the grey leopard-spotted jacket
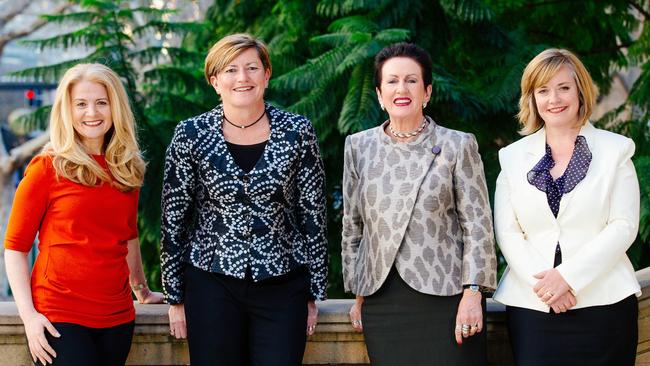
column 402, row 326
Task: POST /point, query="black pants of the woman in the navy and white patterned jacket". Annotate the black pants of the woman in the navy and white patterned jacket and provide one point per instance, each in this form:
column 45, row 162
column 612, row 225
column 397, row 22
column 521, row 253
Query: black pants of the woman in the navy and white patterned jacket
column 234, row 322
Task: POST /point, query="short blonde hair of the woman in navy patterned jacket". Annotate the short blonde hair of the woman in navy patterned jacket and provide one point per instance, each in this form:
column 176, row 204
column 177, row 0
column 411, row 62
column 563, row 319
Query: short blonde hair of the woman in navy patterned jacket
column 228, row 48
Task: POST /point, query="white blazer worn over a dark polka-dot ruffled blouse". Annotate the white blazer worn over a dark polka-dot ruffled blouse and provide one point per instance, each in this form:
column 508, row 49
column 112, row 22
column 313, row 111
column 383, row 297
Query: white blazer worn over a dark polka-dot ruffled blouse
column 597, row 222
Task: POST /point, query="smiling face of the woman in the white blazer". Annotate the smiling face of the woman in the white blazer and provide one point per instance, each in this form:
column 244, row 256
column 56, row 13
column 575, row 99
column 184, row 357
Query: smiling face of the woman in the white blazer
column 558, row 100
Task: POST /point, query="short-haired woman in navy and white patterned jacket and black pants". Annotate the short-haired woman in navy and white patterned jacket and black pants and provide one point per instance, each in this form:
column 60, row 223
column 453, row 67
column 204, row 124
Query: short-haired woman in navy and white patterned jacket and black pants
column 244, row 254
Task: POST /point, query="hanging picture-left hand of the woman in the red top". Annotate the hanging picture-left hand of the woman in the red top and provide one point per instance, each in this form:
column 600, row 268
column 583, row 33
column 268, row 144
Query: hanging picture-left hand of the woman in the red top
column 35, row 325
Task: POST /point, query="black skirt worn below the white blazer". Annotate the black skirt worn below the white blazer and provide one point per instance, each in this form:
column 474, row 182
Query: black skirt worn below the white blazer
column 597, row 335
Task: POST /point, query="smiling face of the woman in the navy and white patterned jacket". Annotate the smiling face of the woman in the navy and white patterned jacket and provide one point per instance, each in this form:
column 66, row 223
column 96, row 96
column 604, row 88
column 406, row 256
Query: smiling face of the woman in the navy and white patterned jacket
column 243, row 81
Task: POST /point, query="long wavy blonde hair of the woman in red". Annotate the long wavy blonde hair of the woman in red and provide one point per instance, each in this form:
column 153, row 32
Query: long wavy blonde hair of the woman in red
column 121, row 151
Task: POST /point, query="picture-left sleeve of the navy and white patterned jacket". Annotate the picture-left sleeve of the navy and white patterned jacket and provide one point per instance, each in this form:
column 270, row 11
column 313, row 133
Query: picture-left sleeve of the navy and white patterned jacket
column 177, row 205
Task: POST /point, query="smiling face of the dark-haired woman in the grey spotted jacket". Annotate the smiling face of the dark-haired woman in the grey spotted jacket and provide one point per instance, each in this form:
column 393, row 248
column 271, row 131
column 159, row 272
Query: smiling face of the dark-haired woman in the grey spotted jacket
column 402, row 89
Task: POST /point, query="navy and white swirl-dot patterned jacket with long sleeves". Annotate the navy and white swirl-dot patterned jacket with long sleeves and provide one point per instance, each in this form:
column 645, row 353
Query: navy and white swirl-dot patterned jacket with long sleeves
column 219, row 218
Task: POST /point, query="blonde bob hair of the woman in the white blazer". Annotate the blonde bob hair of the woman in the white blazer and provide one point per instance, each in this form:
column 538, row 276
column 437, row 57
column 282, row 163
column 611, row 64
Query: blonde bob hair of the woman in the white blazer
column 538, row 72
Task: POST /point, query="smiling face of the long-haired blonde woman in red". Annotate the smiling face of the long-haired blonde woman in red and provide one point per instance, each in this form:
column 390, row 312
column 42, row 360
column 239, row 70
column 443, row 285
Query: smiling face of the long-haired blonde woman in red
column 91, row 114
